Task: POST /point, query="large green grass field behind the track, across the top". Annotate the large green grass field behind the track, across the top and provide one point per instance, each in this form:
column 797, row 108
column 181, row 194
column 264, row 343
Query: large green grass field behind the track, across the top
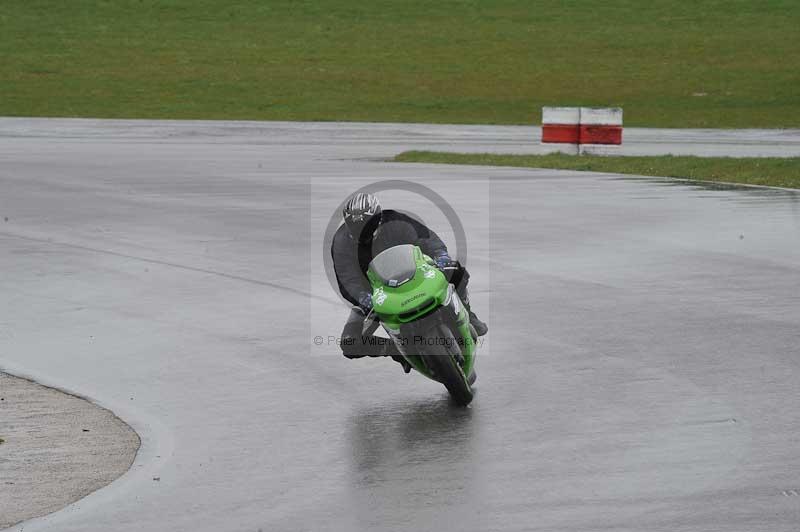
column 673, row 63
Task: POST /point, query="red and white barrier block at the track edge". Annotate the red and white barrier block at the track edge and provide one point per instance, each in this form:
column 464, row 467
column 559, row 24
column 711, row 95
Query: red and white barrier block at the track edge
column 582, row 129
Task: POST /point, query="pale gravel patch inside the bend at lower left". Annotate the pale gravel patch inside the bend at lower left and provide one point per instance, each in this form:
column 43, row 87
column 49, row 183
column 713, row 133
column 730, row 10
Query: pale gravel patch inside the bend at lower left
column 56, row 448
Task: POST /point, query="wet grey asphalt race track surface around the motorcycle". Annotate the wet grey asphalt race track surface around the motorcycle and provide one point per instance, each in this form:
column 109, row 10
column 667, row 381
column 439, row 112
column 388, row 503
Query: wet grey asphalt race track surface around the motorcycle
column 642, row 369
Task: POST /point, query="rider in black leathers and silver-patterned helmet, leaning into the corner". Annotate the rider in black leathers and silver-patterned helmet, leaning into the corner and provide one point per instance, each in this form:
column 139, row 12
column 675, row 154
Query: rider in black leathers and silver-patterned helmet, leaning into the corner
column 367, row 230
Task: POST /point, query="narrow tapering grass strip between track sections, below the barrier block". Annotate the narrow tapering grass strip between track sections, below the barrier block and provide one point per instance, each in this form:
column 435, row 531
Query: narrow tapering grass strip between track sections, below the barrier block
column 775, row 172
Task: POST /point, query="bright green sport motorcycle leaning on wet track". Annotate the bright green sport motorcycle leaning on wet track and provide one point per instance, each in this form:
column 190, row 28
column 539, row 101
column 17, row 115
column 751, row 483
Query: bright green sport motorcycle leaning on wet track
column 423, row 315
